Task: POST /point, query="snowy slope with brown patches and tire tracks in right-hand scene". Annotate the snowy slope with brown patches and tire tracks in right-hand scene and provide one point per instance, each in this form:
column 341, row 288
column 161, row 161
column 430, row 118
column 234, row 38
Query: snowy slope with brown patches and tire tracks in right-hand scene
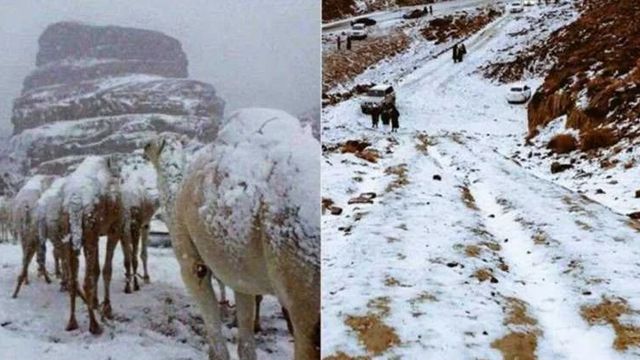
column 465, row 247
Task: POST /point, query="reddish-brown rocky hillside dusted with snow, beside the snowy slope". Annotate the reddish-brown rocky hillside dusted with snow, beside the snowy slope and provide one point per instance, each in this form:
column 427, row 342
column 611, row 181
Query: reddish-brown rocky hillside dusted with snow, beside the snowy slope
column 594, row 80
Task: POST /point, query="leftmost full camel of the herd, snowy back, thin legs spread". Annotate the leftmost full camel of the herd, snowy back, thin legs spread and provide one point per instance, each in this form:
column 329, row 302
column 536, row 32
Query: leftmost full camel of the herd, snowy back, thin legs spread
column 24, row 226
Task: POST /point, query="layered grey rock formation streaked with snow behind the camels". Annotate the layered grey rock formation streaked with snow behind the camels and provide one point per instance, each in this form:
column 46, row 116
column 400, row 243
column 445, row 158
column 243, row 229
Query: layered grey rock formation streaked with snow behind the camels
column 104, row 90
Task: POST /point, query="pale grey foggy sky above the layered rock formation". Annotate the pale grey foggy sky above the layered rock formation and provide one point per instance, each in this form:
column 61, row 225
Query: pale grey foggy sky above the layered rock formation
column 254, row 52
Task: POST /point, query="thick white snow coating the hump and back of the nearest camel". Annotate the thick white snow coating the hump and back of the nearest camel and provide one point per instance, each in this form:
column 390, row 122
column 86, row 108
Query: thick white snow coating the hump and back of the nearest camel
column 278, row 171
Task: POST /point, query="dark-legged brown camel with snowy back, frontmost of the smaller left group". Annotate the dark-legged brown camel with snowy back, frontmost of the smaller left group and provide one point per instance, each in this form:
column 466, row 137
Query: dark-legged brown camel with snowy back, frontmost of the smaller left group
column 93, row 202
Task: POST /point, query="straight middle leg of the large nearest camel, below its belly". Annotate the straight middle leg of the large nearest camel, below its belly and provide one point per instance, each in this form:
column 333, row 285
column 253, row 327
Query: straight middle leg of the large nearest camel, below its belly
column 246, row 313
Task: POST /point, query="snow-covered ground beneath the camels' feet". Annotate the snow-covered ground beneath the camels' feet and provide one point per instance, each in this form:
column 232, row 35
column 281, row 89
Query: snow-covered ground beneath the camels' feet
column 158, row 322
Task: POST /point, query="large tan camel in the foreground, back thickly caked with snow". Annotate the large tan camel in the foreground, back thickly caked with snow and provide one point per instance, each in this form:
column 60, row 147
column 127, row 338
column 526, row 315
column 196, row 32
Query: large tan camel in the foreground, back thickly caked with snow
column 247, row 211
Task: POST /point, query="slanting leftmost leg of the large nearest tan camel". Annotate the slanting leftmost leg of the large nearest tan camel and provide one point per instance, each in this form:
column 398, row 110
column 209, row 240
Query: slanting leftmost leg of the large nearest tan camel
column 201, row 289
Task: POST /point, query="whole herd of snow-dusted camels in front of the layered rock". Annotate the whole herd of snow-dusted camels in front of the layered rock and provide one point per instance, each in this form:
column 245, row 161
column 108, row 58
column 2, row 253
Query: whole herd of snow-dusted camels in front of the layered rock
column 242, row 210
